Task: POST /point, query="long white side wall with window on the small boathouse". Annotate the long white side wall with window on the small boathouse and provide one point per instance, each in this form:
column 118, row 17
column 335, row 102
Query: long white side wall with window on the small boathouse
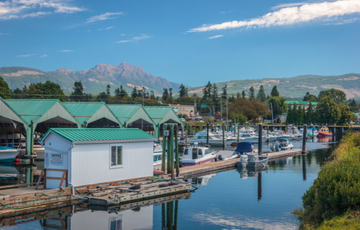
column 91, row 163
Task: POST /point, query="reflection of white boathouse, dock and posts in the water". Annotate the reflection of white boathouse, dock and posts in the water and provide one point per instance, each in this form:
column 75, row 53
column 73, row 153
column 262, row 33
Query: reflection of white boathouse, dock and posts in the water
column 79, row 215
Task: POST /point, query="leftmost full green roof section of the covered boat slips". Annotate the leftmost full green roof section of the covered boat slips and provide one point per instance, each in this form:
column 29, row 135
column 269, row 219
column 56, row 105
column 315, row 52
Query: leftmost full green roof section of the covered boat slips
column 31, row 106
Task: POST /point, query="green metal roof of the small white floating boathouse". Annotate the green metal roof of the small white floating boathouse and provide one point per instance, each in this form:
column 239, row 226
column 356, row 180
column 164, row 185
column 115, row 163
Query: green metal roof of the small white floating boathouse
column 99, row 134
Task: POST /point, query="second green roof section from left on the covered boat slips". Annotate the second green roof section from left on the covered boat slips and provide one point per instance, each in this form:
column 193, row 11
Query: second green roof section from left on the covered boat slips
column 83, row 111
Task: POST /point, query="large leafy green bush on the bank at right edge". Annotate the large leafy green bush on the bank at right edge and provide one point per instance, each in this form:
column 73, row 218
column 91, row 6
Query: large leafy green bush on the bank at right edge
column 337, row 188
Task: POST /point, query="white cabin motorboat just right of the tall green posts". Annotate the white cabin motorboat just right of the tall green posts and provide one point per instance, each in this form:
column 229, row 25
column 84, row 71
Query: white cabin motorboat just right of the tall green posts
column 196, row 155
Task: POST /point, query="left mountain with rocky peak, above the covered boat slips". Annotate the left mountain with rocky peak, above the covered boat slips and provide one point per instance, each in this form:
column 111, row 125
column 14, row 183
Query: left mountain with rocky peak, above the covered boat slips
column 94, row 80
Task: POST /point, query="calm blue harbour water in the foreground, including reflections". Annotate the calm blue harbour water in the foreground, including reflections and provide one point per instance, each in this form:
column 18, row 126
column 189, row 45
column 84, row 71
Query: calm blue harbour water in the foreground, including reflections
column 227, row 200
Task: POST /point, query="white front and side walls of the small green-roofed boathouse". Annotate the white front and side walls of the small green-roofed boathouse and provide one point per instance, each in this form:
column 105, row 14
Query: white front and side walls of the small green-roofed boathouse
column 89, row 163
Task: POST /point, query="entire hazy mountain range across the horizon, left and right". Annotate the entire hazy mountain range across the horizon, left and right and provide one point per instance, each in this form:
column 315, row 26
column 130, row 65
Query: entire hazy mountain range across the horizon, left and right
column 96, row 79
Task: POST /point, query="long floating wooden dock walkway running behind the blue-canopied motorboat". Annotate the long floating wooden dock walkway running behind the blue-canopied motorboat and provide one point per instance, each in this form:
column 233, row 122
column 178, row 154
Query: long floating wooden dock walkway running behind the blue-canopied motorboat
column 188, row 172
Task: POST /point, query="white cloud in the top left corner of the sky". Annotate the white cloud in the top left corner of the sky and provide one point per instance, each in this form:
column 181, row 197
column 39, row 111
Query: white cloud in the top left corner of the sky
column 15, row 9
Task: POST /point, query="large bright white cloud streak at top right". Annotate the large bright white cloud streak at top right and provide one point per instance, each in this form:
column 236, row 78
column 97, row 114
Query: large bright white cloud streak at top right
column 292, row 15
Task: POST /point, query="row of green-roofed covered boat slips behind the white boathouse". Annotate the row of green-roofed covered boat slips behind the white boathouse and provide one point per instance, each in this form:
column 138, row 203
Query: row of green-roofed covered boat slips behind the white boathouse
column 20, row 119
